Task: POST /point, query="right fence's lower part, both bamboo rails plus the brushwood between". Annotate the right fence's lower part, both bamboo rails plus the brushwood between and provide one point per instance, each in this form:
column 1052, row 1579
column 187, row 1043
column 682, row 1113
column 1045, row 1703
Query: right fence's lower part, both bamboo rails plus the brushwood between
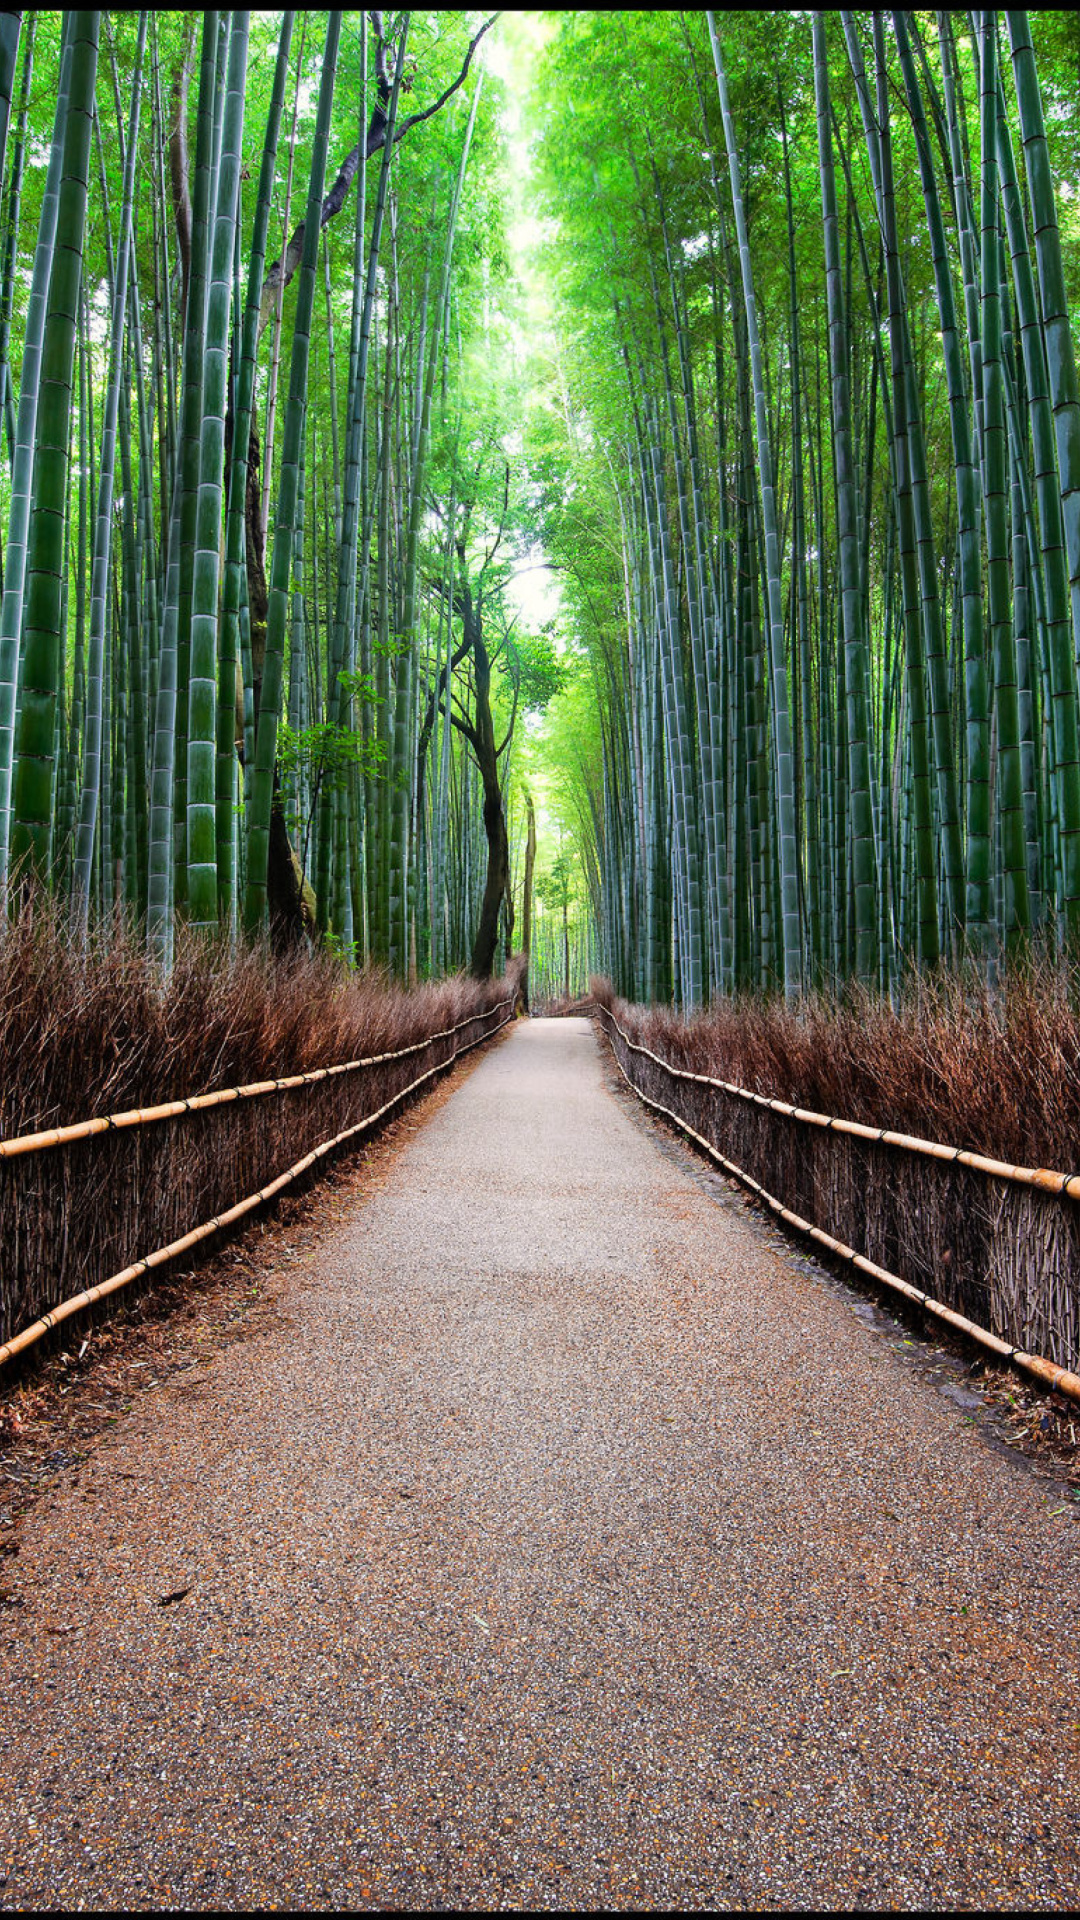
column 989, row 1245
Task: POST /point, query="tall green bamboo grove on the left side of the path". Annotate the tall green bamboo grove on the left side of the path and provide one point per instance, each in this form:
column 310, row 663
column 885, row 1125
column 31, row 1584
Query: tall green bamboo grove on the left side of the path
column 253, row 660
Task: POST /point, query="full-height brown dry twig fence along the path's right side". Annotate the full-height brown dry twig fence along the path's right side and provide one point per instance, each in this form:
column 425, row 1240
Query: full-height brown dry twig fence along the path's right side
column 993, row 1074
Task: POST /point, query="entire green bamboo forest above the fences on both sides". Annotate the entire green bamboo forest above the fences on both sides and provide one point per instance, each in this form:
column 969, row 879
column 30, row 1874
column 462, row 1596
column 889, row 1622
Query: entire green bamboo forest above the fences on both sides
column 591, row 485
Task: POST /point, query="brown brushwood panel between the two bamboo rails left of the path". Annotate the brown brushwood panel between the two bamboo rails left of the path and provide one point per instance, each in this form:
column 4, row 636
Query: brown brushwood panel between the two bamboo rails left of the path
column 74, row 1214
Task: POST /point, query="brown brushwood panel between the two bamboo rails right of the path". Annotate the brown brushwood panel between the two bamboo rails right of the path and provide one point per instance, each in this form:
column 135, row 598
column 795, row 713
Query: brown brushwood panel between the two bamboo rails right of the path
column 1004, row 1255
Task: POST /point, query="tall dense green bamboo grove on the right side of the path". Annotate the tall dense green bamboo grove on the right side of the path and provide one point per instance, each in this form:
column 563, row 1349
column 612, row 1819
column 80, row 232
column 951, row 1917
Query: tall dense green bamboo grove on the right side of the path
column 818, row 389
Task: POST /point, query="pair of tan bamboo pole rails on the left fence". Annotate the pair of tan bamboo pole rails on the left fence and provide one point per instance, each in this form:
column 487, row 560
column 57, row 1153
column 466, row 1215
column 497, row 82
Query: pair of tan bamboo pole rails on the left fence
column 230, row 1216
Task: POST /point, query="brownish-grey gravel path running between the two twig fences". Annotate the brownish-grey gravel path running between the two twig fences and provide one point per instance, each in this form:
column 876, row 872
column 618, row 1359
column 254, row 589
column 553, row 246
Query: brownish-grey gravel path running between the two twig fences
column 568, row 1548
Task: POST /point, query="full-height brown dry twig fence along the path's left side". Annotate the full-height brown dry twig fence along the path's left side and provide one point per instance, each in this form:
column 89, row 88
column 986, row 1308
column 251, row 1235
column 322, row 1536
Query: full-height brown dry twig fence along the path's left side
column 101, row 1032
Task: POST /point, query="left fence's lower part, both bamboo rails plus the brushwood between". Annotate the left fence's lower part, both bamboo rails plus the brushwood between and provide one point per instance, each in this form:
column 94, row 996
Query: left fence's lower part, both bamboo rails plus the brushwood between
column 76, row 1201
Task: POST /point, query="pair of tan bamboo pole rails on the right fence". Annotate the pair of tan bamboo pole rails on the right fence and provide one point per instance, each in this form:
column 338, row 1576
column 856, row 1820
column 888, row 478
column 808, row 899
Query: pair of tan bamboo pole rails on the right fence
column 1046, row 1372
